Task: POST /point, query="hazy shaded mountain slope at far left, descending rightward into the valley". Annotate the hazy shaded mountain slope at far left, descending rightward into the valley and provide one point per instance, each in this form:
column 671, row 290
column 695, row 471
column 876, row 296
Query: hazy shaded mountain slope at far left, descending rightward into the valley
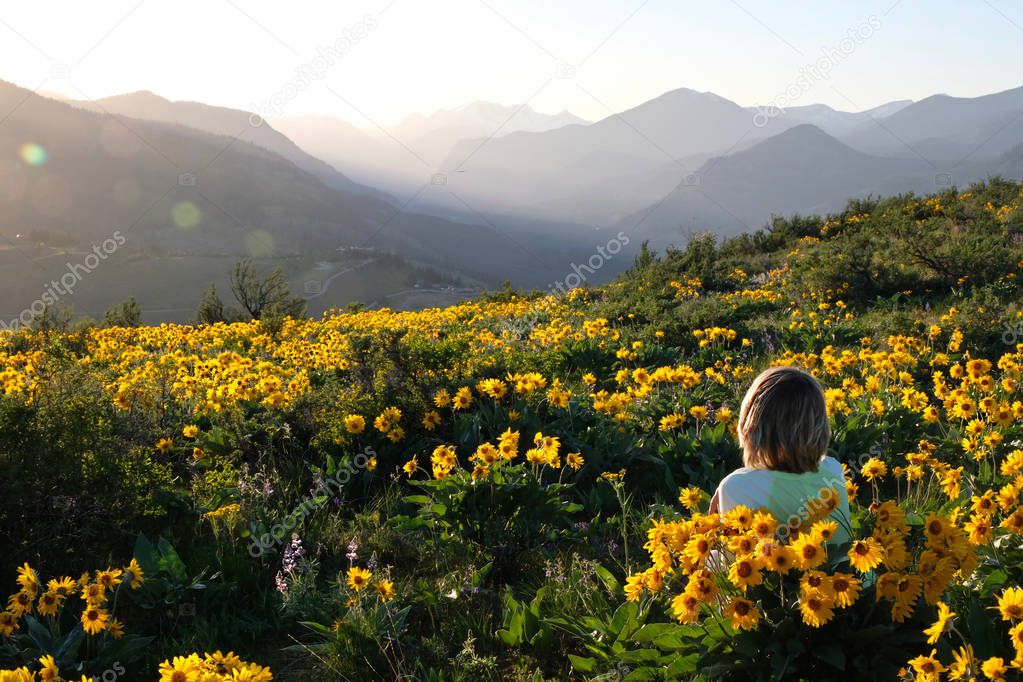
column 105, row 173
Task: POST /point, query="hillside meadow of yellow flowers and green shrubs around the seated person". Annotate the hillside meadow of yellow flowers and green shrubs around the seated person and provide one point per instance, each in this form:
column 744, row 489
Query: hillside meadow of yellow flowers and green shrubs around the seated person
column 518, row 488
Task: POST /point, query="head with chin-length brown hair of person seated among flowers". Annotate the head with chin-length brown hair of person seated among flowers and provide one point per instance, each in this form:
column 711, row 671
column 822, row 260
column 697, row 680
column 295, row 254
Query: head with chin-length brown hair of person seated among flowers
column 783, row 423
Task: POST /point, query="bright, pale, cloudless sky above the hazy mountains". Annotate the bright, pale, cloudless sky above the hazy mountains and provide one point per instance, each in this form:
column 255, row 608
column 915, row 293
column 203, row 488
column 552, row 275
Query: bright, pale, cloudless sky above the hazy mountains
column 419, row 56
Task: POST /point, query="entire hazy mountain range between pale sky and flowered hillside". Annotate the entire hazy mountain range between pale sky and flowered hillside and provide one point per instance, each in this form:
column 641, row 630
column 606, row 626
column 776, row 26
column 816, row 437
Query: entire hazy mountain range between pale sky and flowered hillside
column 483, row 193
